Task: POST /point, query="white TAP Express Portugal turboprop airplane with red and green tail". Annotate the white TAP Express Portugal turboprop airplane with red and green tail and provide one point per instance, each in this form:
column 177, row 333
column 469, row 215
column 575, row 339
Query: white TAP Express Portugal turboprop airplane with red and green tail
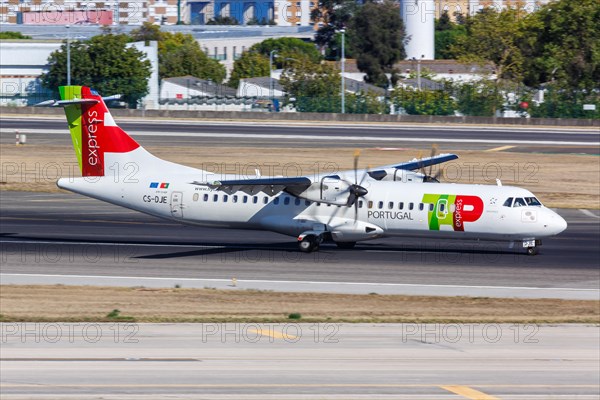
column 393, row 200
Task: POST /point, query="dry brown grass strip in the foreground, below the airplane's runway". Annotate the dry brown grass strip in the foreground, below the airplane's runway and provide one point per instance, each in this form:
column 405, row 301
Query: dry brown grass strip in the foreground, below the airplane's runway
column 92, row 303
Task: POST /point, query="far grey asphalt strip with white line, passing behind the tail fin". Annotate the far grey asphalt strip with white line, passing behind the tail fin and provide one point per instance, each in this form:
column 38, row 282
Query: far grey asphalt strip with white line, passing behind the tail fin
column 182, row 133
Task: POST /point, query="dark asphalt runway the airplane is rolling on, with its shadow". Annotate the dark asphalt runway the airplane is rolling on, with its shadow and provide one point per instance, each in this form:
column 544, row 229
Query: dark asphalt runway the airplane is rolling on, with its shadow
column 69, row 239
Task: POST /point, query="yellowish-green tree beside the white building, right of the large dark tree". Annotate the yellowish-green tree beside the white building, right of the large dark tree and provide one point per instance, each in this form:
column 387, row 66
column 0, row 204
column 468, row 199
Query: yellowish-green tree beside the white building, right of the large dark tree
column 180, row 54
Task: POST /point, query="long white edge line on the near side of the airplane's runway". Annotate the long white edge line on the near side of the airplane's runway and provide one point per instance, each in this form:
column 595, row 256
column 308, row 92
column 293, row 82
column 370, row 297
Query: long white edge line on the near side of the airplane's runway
column 294, row 282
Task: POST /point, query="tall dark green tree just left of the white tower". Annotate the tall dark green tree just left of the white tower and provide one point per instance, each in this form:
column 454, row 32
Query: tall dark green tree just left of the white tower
column 378, row 46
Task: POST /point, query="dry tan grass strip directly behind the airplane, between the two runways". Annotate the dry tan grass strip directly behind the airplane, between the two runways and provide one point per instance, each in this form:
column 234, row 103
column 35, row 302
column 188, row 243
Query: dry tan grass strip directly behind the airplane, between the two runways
column 559, row 180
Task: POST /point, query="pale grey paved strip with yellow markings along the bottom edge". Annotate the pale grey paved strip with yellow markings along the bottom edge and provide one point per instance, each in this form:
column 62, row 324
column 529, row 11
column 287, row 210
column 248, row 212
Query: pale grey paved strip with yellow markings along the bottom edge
column 306, row 361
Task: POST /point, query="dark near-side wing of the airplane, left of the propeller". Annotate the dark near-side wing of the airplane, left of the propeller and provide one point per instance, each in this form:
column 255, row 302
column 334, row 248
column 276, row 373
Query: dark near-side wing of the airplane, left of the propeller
column 270, row 186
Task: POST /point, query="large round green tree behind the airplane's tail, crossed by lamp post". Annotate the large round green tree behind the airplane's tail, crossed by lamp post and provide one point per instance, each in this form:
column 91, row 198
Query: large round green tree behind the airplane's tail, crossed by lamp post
column 105, row 63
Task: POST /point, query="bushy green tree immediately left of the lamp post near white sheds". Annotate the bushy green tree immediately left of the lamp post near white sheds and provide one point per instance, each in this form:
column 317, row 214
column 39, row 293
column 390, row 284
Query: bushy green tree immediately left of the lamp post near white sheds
column 315, row 87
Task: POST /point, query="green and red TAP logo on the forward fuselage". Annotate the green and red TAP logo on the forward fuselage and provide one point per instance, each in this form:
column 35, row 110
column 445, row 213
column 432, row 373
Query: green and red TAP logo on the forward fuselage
column 452, row 210
